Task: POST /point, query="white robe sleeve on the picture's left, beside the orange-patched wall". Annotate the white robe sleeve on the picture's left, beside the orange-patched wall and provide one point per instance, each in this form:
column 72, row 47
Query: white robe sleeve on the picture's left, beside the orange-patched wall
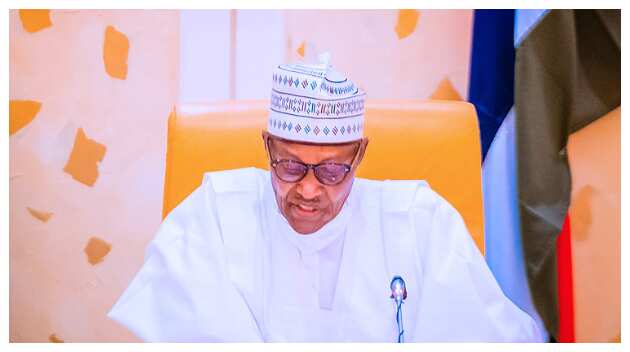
column 183, row 292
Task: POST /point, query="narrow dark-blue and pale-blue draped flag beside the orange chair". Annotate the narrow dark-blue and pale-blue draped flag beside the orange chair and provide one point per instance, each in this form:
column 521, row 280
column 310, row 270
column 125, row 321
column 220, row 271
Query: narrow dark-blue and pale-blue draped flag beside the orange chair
column 491, row 91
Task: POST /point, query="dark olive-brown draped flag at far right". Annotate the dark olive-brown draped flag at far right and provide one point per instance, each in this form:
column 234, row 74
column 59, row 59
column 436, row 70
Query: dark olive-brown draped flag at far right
column 567, row 74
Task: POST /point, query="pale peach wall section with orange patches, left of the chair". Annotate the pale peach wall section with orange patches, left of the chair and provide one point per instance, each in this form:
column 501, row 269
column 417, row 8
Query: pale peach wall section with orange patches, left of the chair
column 90, row 97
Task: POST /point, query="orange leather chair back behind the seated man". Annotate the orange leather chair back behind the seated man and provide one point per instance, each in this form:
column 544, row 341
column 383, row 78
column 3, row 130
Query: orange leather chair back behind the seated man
column 437, row 141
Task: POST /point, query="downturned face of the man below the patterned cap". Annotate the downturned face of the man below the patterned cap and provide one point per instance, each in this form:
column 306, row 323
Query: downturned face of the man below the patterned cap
column 308, row 204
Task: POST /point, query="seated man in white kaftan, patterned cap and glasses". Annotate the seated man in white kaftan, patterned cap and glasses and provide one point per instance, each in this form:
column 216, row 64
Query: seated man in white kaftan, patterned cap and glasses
column 306, row 252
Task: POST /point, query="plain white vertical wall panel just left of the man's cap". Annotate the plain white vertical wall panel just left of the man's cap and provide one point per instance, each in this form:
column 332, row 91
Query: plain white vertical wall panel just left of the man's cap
column 207, row 47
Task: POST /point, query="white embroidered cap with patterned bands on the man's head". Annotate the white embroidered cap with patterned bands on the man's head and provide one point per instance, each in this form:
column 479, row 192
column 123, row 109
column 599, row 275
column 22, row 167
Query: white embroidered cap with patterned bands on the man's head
column 314, row 103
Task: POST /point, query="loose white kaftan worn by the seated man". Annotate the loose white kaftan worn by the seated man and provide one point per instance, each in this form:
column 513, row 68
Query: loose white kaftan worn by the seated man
column 226, row 266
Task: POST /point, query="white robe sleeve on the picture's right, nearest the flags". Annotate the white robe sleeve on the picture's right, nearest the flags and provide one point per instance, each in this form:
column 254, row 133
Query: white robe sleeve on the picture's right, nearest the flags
column 461, row 300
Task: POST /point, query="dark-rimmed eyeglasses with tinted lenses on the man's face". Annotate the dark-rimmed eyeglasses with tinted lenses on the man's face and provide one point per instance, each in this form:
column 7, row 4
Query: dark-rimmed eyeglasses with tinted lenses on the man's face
column 292, row 171
